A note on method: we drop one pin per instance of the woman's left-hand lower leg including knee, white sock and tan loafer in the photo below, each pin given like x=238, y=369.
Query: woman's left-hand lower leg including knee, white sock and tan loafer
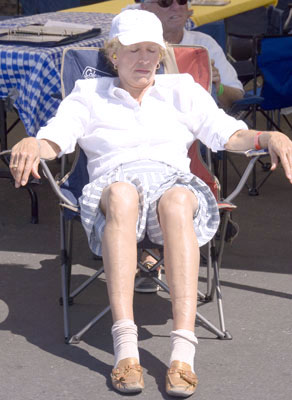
x=119, y=202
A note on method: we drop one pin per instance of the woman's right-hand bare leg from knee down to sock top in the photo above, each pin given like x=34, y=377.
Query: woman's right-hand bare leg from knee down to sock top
x=181, y=254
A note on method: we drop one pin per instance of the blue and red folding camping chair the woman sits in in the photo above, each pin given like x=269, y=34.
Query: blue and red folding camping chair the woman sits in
x=88, y=63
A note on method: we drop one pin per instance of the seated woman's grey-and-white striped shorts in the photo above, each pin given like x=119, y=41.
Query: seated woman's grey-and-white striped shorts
x=151, y=179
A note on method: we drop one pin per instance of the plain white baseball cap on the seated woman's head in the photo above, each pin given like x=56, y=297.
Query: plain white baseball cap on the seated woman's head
x=136, y=26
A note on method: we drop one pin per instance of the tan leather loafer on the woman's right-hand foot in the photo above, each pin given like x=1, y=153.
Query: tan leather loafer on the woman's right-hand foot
x=180, y=380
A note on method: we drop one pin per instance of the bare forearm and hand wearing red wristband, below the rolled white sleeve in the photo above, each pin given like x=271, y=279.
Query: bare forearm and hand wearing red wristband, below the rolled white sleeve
x=278, y=144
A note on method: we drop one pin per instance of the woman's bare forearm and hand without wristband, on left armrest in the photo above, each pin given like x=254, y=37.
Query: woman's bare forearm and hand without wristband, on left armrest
x=25, y=158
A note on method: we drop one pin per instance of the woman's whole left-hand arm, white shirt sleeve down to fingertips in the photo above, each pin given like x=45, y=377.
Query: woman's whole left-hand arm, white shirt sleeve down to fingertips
x=61, y=132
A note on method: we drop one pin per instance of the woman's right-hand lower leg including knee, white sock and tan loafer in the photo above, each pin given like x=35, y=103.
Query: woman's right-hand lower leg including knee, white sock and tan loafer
x=181, y=255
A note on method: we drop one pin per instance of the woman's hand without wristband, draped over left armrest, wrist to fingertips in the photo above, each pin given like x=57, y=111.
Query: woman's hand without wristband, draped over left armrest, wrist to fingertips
x=25, y=158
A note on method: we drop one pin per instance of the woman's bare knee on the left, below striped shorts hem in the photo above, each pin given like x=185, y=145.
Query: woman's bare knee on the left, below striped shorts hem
x=120, y=199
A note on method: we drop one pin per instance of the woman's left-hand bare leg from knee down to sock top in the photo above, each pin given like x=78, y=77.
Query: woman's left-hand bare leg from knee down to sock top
x=119, y=202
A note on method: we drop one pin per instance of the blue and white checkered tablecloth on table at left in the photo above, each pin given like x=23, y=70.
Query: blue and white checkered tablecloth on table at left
x=34, y=72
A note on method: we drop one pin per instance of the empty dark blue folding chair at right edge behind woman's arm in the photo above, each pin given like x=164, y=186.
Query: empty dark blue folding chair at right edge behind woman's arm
x=272, y=60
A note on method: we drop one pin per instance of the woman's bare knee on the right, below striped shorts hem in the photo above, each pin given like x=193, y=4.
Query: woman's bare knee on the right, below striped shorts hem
x=178, y=203
